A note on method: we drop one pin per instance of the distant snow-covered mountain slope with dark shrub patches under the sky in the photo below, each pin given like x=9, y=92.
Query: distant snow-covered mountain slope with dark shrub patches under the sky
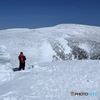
x=44, y=43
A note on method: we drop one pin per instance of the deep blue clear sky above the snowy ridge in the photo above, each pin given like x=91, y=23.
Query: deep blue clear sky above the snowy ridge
x=44, y=13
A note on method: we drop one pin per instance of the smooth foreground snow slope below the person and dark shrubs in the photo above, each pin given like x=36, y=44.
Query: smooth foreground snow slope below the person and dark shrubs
x=54, y=81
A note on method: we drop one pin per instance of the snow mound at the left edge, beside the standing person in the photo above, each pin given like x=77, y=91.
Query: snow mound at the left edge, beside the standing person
x=5, y=66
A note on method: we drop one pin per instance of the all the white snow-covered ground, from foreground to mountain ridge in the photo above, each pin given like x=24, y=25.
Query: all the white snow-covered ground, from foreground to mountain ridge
x=49, y=80
